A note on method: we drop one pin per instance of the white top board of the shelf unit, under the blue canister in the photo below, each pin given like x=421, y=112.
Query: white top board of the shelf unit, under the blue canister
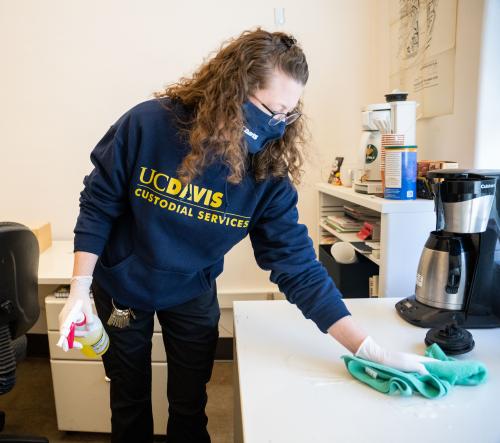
x=375, y=203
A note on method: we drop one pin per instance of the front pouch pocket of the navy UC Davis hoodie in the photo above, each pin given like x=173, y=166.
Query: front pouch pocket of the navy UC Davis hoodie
x=142, y=285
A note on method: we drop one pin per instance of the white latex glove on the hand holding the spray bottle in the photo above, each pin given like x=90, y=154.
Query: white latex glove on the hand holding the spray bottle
x=78, y=302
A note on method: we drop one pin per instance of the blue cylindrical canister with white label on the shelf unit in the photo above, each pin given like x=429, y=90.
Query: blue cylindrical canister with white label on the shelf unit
x=400, y=172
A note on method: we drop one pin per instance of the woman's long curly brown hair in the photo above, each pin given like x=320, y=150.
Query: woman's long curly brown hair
x=216, y=92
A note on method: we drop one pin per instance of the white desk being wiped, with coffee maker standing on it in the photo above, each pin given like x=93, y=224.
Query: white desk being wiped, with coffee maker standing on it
x=291, y=385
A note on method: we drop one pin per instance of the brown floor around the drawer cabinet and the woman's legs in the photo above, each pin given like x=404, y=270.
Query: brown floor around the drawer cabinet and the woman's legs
x=30, y=409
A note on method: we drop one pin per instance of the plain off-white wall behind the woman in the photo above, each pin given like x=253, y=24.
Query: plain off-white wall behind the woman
x=70, y=69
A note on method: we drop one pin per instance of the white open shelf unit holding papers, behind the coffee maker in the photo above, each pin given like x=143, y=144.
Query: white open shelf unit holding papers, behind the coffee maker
x=405, y=226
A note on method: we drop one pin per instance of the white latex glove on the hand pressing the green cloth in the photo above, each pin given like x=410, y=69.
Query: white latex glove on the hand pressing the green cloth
x=370, y=350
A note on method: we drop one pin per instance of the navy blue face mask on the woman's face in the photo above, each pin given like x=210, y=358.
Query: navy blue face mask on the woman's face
x=257, y=129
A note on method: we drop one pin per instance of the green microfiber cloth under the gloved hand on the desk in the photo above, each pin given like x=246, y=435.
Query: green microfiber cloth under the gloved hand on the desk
x=443, y=374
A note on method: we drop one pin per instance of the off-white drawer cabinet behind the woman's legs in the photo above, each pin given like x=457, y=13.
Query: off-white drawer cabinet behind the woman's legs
x=80, y=388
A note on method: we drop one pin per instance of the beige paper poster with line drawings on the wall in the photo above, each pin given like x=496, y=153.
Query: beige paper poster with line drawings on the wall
x=422, y=34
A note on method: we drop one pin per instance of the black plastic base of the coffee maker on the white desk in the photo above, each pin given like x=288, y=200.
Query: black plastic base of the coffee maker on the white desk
x=425, y=316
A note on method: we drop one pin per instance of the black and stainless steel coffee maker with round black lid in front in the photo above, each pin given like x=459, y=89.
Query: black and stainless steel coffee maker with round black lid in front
x=458, y=276
